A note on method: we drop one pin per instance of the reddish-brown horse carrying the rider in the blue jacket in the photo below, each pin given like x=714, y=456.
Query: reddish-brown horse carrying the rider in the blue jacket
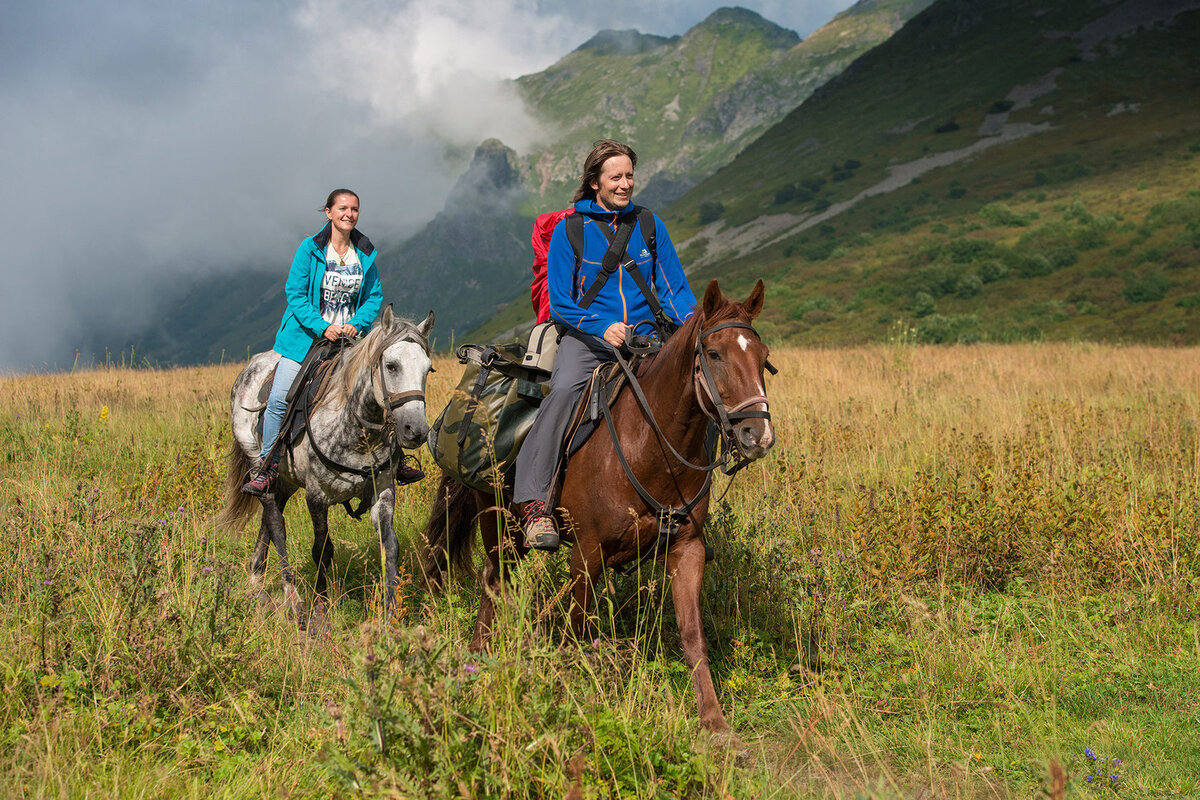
x=711, y=370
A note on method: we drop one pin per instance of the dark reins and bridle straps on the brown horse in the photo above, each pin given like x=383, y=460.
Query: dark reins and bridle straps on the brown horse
x=671, y=519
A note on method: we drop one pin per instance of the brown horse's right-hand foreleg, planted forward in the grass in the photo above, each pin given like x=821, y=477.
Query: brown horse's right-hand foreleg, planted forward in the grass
x=686, y=562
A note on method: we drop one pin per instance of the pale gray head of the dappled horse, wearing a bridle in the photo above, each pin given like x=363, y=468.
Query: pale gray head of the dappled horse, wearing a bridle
x=403, y=366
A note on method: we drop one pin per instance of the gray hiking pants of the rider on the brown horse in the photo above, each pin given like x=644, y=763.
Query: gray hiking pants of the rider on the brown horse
x=578, y=356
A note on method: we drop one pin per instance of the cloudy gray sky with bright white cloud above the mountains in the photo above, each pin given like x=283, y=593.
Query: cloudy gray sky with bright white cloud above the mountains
x=146, y=143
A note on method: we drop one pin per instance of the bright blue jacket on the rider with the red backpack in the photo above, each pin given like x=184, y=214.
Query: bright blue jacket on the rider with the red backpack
x=620, y=300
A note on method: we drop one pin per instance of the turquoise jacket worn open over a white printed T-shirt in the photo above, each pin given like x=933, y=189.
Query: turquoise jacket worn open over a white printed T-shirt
x=303, y=323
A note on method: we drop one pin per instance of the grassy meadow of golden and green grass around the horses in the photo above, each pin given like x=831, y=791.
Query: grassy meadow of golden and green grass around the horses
x=963, y=573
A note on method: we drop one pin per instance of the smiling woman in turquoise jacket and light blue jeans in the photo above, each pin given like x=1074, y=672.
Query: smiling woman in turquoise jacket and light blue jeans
x=333, y=292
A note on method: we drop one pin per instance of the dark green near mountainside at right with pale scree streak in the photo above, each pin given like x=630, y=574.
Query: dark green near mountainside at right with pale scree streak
x=994, y=171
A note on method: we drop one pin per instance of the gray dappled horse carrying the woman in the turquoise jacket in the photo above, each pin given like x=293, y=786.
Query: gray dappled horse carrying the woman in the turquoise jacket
x=370, y=407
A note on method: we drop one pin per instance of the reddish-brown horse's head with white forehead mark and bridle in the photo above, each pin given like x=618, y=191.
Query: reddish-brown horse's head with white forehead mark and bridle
x=729, y=371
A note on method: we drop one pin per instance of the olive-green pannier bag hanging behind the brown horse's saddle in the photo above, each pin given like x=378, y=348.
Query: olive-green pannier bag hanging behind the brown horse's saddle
x=477, y=437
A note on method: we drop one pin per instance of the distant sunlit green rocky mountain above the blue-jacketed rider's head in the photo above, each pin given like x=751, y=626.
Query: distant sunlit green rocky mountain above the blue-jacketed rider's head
x=689, y=104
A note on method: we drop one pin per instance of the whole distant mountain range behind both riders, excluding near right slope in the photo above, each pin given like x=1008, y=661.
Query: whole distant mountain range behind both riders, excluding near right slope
x=688, y=105
